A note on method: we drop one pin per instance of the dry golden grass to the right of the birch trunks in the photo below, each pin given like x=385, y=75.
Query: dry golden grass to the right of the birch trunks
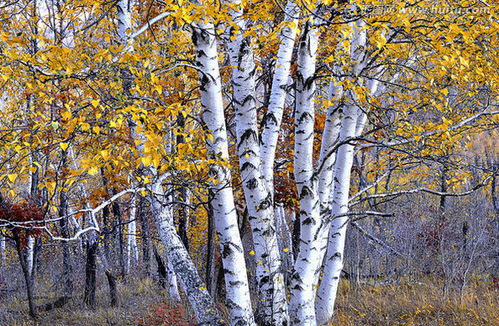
x=417, y=305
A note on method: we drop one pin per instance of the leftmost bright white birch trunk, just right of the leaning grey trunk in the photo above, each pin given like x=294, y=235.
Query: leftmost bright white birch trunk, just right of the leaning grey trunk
x=236, y=281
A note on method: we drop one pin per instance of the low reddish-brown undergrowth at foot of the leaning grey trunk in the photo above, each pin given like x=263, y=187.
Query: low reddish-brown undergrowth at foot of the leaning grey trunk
x=168, y=315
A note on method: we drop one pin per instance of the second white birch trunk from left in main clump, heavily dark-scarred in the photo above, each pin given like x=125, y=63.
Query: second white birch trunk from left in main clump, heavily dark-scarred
x=272, y=304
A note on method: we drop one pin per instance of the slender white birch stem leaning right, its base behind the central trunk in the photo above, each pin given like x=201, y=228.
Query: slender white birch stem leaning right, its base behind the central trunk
x=273, y=117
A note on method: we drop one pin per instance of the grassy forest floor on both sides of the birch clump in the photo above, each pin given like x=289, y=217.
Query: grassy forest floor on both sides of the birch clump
x=143, y=303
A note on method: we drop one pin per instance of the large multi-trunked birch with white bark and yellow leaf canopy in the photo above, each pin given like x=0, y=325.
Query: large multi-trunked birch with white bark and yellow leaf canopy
x=266, y=93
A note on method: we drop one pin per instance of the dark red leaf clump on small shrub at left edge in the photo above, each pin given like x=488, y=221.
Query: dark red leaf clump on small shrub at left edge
x=23, y=212
